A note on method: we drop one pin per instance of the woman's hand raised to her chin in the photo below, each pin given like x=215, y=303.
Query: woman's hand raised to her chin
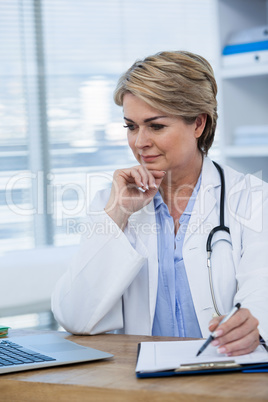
x=132, y=189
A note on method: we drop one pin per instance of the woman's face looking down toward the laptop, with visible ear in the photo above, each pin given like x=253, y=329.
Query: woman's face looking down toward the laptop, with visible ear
x=160, y=141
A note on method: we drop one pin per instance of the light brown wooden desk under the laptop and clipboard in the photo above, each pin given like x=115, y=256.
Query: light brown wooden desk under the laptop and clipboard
x=115, y=380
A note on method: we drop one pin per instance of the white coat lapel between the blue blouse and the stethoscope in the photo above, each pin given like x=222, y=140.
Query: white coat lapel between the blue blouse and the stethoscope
x=204, y=217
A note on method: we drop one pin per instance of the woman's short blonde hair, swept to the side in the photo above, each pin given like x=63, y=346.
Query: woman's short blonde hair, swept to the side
x=179, y=83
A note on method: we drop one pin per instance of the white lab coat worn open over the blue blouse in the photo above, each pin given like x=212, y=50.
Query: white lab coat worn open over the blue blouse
x=112, y=282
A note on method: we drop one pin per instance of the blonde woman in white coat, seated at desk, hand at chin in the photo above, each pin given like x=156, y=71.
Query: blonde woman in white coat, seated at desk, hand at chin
x=142, y=266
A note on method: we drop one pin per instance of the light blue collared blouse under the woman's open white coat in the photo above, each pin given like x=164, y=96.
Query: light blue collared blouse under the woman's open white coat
x=175, y=313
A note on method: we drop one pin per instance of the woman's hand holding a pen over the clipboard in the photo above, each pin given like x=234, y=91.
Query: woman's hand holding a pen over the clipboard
x=237, y=336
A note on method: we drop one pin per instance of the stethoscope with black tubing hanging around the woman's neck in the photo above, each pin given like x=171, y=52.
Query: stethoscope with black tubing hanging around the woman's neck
x=219, y=228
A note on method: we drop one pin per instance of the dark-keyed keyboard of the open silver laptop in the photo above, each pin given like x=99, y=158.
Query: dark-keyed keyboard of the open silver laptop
x=12, y=353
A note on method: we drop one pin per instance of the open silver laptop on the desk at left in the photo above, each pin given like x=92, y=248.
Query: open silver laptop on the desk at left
x=43, y=350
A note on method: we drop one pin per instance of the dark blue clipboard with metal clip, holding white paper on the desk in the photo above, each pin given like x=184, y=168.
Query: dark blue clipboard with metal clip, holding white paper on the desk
x=206, y=367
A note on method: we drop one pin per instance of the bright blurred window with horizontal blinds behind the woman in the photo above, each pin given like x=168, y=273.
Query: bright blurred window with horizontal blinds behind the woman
x=85, y=45
